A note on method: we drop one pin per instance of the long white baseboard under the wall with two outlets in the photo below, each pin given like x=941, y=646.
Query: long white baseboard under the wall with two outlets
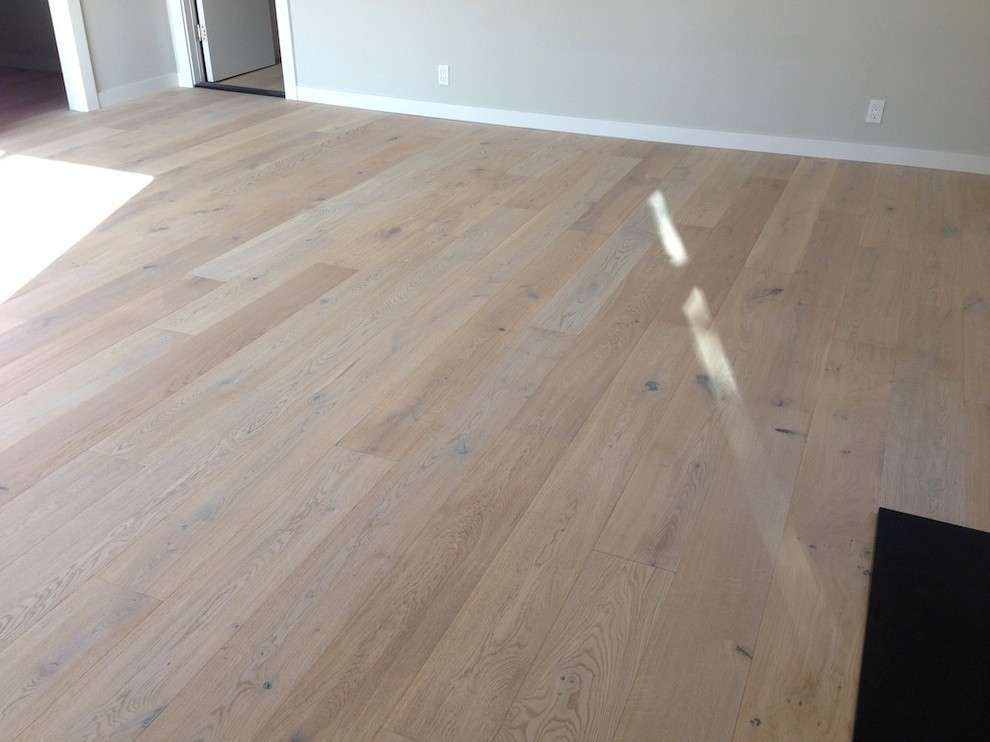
x=654, y=133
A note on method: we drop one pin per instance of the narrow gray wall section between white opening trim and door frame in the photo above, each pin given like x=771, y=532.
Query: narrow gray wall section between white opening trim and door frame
x=129, y=41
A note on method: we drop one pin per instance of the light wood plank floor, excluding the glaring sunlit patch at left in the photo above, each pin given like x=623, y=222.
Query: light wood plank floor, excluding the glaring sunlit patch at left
x=353, y=426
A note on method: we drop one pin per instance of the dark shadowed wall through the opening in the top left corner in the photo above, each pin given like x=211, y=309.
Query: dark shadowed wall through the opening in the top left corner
x=26, y=36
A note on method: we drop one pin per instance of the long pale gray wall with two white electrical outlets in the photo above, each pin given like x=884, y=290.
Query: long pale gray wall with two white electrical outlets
x=793, y=68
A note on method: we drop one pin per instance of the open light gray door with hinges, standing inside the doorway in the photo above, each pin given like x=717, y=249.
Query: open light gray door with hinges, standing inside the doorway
x=236, y=35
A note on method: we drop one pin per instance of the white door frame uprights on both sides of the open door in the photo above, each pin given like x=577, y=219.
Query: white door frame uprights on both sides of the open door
x=189, y=61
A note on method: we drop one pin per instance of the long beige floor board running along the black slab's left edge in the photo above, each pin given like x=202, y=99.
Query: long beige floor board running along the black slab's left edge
x=802, y=683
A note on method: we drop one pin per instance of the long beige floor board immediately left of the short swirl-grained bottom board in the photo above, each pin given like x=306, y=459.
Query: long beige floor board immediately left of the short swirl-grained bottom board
x=465, y=687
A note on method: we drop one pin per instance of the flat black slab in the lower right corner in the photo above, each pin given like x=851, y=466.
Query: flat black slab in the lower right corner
x=926, y=659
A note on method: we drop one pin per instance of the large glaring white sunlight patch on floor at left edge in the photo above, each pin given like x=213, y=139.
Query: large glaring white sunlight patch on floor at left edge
x=47, y=206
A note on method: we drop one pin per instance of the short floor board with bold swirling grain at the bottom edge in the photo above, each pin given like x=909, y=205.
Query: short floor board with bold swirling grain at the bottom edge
x=577, y=687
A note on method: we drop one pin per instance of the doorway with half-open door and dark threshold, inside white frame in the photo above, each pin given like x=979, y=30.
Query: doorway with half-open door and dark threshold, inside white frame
x=239, y=43
